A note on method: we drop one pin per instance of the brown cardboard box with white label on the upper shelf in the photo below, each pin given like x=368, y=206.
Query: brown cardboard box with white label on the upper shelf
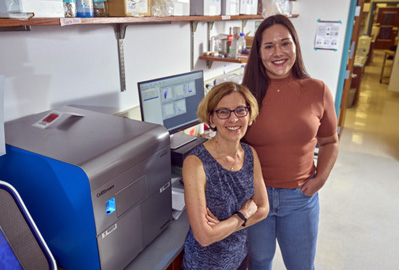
x=126, y=8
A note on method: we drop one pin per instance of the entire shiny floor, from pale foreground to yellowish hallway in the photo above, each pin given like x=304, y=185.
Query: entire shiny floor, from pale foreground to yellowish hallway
x=359, y=219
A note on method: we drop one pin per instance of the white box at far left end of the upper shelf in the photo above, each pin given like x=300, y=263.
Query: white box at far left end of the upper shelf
x=41, y=8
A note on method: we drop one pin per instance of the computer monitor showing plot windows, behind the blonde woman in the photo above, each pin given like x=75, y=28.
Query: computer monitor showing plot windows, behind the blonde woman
x=172, y=101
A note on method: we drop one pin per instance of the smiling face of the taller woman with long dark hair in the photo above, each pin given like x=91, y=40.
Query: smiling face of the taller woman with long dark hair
x=277, y=51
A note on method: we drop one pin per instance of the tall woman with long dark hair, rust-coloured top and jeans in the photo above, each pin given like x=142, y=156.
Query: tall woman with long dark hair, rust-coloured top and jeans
x=296, y=113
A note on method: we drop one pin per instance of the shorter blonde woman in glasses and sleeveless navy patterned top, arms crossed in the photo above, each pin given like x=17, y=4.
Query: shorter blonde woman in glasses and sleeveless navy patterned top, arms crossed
x=223, y=184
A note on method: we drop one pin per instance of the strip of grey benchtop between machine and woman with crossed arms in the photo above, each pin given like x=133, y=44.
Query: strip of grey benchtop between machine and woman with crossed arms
x=164, y=249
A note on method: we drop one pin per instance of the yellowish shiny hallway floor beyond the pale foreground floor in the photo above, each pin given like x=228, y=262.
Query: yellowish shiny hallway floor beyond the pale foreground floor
x=372, y=125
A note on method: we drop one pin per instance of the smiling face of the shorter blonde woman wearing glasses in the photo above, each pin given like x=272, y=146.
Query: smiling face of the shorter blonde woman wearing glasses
x=232, y=128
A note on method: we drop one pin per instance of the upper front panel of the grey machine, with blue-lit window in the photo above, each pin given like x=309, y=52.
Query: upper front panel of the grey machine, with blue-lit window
x=129, y=189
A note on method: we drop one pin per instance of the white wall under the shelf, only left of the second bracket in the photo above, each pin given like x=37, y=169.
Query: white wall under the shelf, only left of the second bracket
x=52, y=65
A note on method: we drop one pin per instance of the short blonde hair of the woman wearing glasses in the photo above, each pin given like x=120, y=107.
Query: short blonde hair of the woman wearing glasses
x=210, y=101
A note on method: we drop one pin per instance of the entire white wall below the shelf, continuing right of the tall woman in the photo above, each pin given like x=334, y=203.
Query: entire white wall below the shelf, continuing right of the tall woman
x=52, y=66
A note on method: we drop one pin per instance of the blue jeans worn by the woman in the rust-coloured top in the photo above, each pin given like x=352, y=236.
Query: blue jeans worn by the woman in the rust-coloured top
x=293, y=220
